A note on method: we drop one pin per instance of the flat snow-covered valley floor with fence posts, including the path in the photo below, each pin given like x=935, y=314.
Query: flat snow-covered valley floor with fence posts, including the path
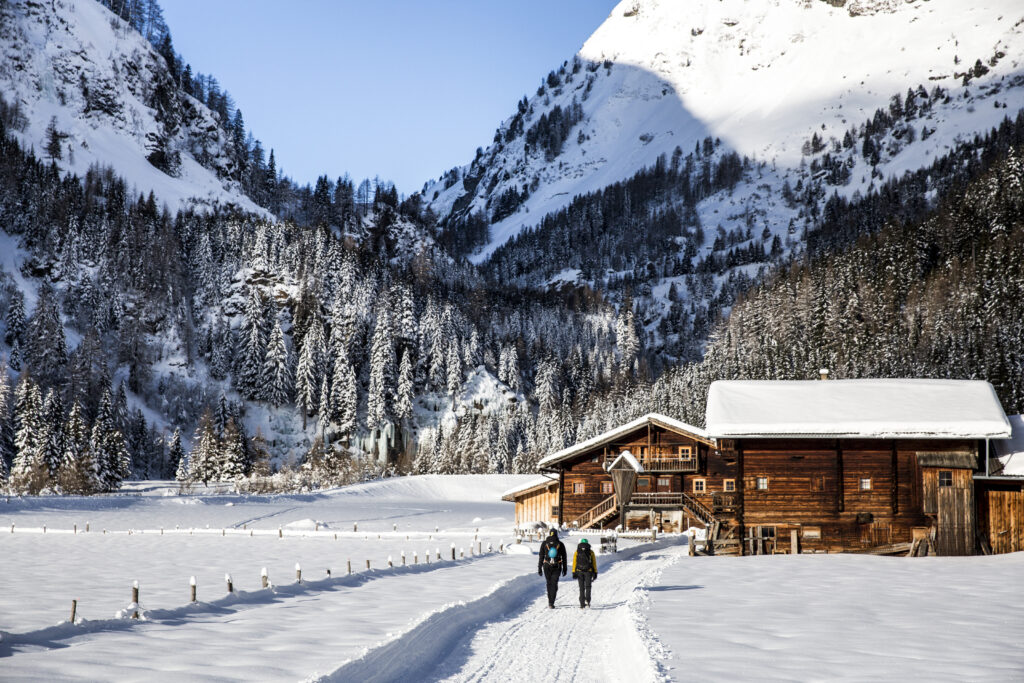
x=658, y=614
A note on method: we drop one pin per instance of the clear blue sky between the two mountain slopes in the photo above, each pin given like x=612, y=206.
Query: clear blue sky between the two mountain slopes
x=401, y=90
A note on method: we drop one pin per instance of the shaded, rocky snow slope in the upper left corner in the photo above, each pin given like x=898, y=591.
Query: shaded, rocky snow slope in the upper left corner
x=112, y=97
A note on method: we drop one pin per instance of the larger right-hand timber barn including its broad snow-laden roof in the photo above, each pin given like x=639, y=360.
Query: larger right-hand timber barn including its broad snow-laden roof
x=847, y=465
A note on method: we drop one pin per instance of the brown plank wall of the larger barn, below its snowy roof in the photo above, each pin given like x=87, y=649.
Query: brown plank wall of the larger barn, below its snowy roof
x=848, y=494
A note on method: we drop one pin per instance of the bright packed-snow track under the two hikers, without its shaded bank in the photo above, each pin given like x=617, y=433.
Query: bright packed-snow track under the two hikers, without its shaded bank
x=608, y=643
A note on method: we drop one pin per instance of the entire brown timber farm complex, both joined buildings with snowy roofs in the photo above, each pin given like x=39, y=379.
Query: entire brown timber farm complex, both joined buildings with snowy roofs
x=808, y=466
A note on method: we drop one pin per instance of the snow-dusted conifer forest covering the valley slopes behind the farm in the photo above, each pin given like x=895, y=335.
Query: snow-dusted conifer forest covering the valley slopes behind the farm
x=335, y=332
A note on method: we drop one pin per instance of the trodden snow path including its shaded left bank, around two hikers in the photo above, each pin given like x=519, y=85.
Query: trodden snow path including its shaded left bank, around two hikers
x=511, y=634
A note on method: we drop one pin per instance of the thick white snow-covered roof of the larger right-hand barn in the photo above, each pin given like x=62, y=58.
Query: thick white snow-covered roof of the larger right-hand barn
x=870, y=408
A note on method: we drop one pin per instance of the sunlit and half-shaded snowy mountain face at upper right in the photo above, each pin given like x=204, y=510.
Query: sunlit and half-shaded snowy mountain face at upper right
x=762, y=77
